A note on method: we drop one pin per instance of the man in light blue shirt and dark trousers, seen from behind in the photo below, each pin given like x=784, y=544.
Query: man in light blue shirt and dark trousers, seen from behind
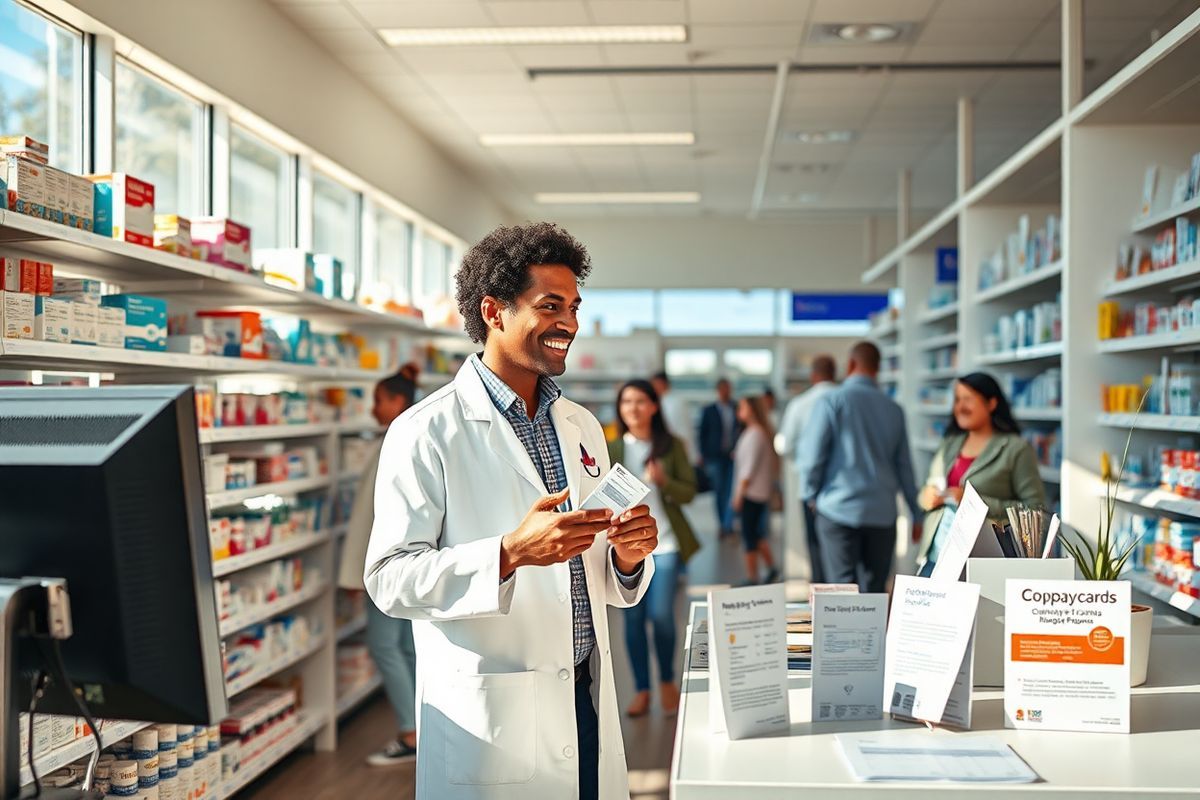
x=855, y=459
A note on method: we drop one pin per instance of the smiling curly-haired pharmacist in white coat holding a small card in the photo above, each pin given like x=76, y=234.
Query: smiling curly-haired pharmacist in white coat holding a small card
x=476, y=542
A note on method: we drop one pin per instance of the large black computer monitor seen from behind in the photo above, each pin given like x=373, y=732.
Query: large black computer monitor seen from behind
x=104, y=488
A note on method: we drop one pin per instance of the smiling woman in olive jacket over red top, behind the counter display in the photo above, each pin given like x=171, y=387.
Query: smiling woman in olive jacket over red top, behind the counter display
x=983, y=444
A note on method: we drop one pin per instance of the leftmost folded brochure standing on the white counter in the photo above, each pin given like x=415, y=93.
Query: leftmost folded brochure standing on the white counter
x=748, y=661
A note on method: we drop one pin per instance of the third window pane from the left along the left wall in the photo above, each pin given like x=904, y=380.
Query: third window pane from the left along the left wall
x=261, y=189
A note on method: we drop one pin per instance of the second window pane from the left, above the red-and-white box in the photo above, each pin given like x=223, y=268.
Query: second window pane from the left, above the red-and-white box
x=160, y=140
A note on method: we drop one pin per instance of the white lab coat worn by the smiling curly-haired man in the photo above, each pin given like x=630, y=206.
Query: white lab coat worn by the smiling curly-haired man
x=495, y=667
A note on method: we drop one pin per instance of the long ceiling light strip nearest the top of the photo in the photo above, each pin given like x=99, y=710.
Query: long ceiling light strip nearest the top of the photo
x=557, y=35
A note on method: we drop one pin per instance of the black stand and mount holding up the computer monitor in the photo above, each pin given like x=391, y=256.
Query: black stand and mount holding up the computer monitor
x=29, y=609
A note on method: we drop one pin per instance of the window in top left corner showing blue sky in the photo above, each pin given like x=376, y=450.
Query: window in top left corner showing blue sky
x=41, y=83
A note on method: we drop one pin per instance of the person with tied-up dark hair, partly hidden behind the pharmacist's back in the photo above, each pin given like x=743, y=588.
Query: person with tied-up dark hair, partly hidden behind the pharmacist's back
x=389, y=640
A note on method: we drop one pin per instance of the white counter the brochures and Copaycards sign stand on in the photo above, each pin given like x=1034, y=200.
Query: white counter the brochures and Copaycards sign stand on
x=1160, y=759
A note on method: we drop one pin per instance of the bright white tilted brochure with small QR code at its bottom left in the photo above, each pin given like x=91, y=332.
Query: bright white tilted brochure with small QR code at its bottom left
x=929, y=633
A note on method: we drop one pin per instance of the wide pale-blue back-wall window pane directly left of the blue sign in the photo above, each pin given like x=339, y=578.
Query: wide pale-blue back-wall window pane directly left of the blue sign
x=729, y=312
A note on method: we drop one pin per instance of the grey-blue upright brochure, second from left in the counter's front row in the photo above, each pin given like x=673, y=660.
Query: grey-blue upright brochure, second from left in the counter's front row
x=849, y=635
